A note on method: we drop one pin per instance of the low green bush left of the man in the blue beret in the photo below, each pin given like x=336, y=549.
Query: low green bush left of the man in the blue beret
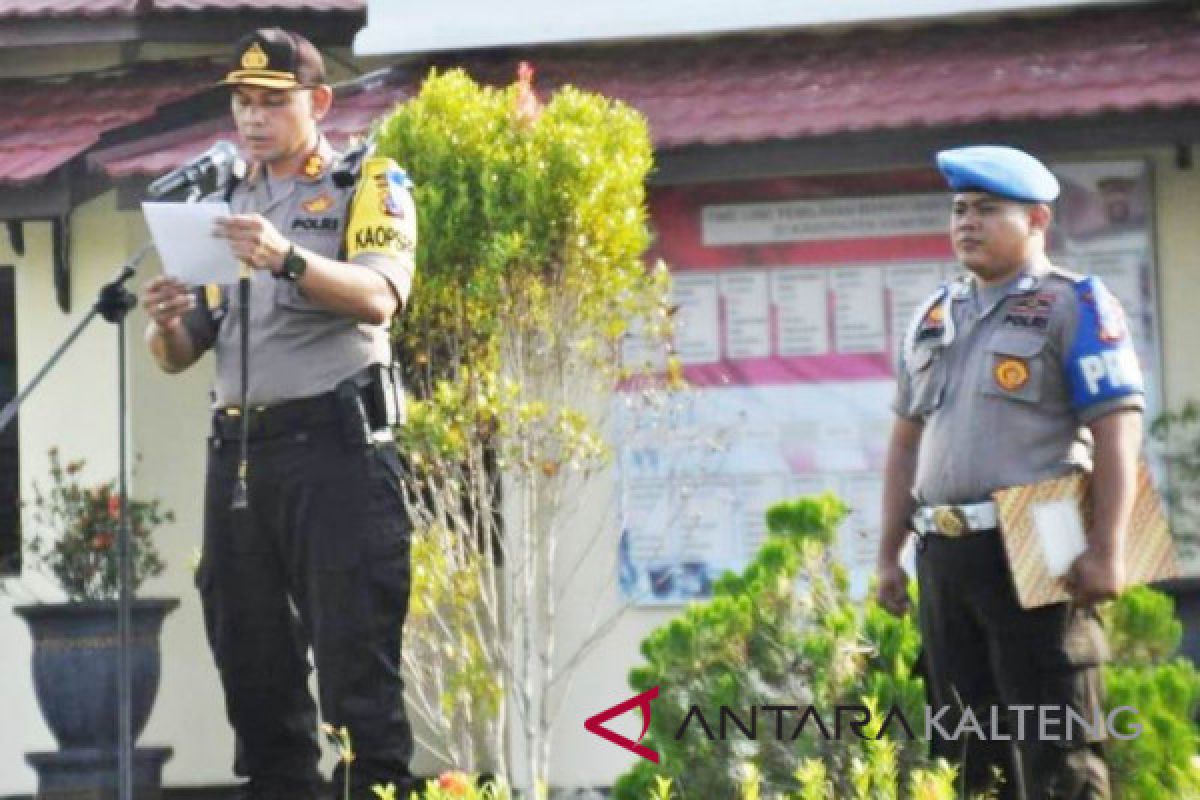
x=785, y=633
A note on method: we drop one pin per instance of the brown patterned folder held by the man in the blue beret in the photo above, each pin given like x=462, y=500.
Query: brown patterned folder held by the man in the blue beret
x=1149, y=552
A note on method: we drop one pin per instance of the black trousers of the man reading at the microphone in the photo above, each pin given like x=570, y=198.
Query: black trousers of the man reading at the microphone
x=321, y=561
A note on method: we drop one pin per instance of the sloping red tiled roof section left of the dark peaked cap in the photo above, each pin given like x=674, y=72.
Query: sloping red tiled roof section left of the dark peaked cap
x=50, y=122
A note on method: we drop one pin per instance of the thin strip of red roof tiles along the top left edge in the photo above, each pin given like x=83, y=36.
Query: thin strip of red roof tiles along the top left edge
x=134, y=8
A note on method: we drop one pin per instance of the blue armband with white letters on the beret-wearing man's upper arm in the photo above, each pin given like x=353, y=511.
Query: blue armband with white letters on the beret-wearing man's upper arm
x=1101, y=363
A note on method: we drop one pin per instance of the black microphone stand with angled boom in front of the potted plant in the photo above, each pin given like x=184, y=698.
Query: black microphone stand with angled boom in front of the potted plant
x=113, y=303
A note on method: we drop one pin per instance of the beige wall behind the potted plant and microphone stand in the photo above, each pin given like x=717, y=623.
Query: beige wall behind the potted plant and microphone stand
x=76, y=411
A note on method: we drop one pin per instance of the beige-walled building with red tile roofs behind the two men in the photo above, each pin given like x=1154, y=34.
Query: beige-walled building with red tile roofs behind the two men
x=764, y=121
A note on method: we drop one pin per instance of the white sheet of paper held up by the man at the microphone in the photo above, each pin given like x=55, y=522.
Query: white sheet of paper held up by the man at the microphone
x=183, y=236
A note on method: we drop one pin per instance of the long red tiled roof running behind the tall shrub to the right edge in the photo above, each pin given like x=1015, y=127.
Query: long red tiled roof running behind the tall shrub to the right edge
x=785, y=87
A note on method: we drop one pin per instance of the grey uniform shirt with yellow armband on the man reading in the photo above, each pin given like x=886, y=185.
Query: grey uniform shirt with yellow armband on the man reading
x=298, y=348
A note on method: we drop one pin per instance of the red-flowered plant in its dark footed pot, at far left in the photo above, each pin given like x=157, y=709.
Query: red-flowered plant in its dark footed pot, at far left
x=73, y=538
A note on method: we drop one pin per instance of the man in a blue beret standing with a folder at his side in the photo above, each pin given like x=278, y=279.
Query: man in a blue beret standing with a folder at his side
x=1016, y=374
